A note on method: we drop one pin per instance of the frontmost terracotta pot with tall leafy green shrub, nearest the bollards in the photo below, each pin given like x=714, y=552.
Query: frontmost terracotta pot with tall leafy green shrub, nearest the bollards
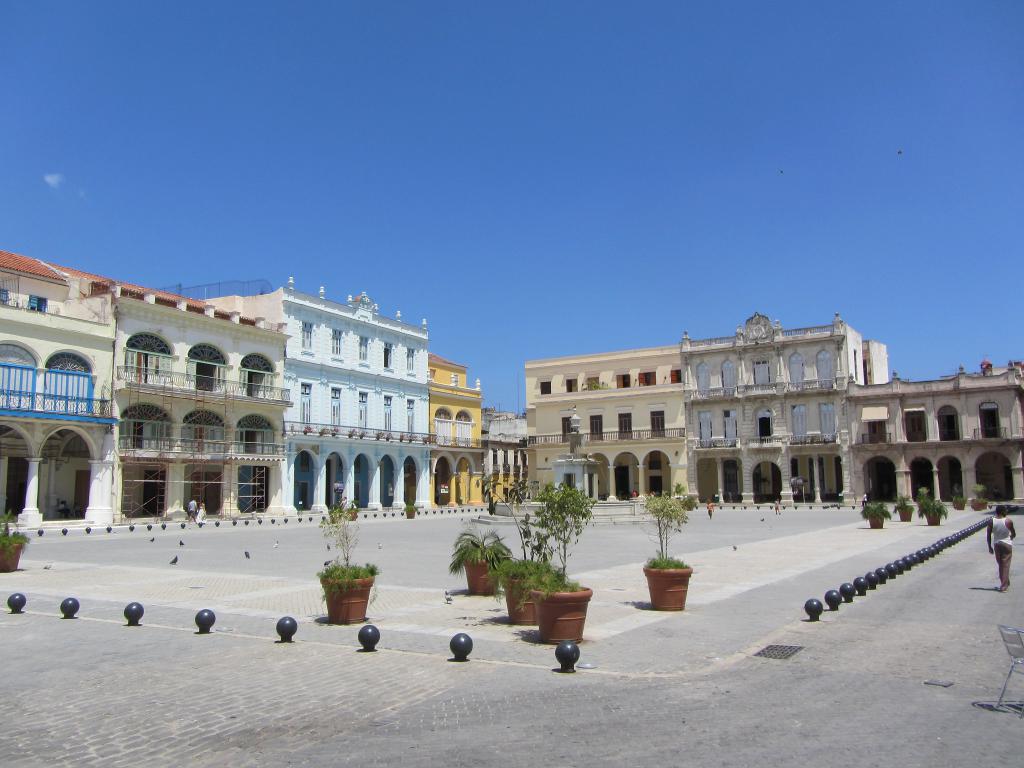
x=562, y=604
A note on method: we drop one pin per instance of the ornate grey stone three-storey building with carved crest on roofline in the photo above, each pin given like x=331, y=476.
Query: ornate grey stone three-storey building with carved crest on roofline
x=765, y=410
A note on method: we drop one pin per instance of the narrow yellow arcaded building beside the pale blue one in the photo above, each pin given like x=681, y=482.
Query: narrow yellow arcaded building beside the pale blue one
x=456, y=454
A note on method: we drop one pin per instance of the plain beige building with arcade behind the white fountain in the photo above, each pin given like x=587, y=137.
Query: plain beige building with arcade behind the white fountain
x=632, y=418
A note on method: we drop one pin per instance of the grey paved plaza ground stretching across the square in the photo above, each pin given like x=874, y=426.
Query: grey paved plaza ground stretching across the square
x=666, y=688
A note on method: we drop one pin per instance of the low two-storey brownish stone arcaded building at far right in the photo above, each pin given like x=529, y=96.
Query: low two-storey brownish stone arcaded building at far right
x=947, y=436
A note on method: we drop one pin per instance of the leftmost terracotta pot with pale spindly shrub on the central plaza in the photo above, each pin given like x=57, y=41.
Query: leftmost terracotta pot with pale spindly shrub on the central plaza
x=347, y=587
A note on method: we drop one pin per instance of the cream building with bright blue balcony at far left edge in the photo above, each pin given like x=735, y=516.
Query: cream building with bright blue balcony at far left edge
x=57, y=442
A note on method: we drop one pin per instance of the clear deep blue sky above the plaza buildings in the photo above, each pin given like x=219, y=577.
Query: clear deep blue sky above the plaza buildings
x=540, y=179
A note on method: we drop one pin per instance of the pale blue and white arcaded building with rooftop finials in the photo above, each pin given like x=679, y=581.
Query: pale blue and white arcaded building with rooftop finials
x=357, y=428
